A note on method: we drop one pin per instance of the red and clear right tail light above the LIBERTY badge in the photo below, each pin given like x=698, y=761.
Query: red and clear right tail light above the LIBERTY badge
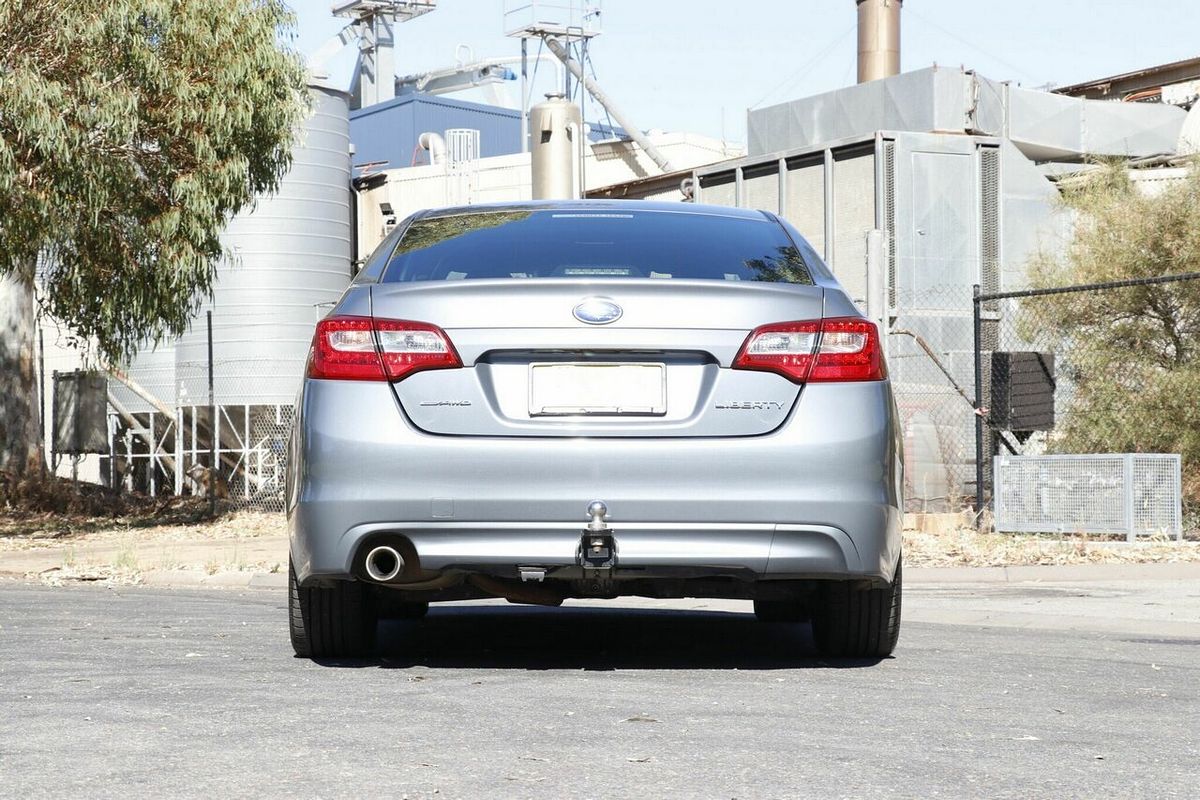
x=836, y=350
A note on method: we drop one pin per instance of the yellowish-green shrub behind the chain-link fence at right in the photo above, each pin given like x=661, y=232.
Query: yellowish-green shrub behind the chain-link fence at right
x=1133, y=354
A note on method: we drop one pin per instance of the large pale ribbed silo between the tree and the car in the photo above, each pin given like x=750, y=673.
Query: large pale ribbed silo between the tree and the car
x=291, y=260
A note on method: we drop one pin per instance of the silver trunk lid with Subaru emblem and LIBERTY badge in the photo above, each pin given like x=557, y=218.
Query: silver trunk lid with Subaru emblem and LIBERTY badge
x=532, y=368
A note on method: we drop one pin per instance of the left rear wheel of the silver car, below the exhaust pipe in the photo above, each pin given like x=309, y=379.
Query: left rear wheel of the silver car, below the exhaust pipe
x=331, y=623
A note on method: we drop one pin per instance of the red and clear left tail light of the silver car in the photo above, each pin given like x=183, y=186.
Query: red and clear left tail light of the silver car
x=363, y=348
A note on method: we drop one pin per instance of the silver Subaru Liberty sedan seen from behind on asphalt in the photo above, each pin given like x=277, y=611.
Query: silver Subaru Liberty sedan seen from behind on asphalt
x=547, y=401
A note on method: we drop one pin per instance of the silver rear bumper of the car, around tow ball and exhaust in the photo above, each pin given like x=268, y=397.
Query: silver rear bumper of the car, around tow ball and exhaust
x=819, y=498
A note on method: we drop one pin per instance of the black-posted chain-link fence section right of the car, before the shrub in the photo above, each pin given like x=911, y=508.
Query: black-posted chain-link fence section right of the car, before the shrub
x=1090, y=370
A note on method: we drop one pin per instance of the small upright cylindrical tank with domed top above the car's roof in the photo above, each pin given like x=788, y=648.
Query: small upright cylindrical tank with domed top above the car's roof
x=556, y=128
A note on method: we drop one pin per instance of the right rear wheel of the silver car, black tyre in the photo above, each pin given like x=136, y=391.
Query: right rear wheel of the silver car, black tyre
x=859, y=623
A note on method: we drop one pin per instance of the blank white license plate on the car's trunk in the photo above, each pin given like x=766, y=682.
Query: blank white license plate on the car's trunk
x=615, y=389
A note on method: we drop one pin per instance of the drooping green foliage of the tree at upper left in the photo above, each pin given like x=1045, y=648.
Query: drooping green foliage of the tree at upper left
x=131, y=131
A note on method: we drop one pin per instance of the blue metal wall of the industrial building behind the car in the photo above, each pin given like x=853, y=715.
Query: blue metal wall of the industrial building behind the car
x=389, y=131
